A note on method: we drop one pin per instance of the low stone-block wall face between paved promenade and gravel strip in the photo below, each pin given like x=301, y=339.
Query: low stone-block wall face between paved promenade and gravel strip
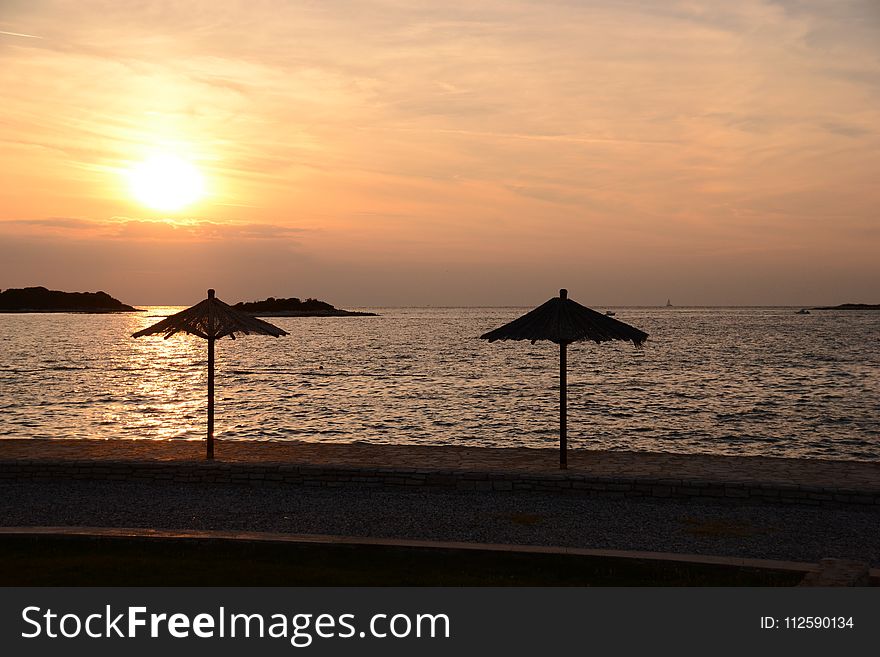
x=330, y=476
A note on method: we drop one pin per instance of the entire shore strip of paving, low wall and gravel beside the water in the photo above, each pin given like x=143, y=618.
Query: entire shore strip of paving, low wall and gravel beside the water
x=452, y=494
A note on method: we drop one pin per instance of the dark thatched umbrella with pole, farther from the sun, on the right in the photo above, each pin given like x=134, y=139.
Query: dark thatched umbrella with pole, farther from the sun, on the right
x=563, y=321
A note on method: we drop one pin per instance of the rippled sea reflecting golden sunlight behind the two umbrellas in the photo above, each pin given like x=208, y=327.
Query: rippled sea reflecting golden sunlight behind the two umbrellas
x=726, y=381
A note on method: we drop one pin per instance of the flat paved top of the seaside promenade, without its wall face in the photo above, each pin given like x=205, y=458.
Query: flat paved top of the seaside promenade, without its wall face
x=855, y=475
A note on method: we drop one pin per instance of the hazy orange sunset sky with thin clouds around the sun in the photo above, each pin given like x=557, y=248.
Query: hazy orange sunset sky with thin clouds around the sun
x=399, y=152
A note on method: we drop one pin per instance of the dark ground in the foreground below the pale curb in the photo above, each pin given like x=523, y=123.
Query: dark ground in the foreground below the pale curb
x=136, y=561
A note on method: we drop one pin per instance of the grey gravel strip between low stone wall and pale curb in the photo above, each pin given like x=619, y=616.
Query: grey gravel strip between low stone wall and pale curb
x=764, y=532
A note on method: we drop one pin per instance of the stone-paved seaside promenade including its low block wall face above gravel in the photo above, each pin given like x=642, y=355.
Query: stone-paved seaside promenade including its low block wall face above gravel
x=738, y=479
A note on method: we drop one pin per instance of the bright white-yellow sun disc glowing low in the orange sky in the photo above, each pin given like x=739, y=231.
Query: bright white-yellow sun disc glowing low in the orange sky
x=166, y=182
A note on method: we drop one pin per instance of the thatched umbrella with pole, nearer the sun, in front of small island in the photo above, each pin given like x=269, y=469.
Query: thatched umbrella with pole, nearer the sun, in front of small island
x=211, y=319
